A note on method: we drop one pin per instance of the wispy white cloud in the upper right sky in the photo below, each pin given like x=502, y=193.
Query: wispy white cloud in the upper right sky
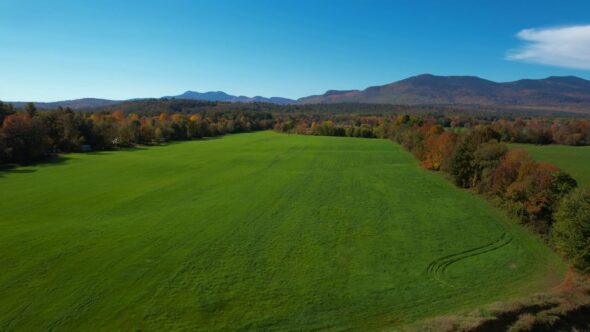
x=562, y=47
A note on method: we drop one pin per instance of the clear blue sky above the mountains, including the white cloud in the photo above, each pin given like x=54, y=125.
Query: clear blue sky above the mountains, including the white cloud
x=67, y=49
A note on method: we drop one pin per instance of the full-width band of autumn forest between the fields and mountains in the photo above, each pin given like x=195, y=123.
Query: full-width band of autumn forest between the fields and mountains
x=30, y=135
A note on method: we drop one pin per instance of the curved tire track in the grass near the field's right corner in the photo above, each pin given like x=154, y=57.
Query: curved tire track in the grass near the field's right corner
x=437, y=268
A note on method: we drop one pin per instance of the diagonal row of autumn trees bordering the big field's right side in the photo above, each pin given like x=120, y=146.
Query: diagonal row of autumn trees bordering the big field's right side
x=538, y=195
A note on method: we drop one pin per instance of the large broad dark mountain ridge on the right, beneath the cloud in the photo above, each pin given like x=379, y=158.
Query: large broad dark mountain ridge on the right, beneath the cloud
x=465, y=90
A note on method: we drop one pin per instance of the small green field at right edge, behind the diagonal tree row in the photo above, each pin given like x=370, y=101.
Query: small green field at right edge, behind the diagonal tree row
x=575, y=160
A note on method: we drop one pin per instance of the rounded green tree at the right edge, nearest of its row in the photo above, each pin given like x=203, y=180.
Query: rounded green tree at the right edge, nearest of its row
x=571, y=231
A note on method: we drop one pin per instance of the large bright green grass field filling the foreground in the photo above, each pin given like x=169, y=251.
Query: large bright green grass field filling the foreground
x=252, y=231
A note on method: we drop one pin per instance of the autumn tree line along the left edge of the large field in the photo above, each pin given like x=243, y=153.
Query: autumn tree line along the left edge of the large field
x=30, y=135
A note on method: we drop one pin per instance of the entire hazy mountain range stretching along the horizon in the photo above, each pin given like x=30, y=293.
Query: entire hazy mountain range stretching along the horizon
x=423, y=89
